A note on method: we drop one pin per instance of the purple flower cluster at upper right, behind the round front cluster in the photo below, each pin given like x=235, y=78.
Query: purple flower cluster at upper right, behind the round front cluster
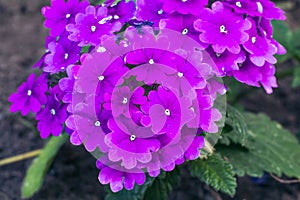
x=236, y=33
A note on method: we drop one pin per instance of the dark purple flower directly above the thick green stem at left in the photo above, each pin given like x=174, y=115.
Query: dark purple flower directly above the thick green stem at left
x=51, y=119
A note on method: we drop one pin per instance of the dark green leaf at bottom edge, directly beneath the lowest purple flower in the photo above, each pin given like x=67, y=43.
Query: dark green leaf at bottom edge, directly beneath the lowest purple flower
x=136, y=194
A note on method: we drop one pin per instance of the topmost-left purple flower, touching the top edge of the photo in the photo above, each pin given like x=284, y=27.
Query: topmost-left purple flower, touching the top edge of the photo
x=61, y=13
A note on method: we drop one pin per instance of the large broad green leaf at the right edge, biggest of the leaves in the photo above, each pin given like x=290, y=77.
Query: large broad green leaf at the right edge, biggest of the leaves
x=270, y=148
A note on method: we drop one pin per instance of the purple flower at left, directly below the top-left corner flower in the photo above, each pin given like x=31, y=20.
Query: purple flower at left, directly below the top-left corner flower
x=62, y=54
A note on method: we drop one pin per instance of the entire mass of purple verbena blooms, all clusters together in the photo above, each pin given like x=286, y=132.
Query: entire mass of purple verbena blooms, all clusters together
x=135, y=83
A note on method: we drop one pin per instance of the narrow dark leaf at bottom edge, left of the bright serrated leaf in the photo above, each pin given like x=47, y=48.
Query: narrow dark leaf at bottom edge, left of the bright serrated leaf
x=163, y=185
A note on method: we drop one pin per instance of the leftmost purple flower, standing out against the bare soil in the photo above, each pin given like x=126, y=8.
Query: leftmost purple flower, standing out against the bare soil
x=30, y=95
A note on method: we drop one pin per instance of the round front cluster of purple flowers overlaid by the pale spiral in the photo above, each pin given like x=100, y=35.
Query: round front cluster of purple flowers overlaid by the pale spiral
x=144, y=106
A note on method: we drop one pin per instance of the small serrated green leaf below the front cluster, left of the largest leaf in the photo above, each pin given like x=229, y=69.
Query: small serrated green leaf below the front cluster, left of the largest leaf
x=216, y=172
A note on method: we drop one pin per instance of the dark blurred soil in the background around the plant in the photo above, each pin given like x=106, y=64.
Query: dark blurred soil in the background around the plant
x=73, y=174
